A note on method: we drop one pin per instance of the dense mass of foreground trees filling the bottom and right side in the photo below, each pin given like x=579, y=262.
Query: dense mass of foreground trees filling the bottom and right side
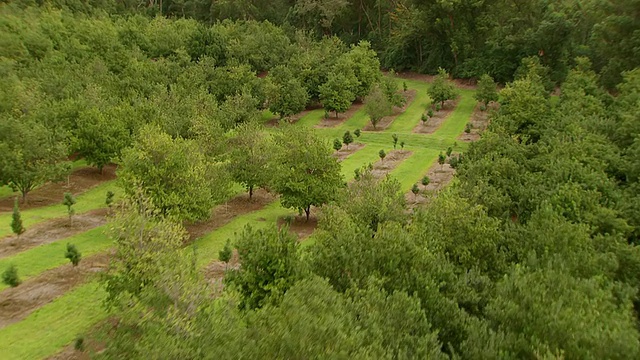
x=530, y=254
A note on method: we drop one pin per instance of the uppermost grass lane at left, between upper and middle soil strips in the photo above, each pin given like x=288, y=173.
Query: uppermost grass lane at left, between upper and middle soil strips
x=89, y=200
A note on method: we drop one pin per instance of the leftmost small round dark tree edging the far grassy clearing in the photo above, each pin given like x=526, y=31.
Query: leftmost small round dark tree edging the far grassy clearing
x=285, y=93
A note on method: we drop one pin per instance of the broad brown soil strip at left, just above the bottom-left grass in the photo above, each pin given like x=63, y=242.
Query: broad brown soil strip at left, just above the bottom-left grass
x=18, y=302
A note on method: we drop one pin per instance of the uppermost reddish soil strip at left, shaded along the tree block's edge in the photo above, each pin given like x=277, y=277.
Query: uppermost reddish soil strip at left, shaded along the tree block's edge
x=80, y=181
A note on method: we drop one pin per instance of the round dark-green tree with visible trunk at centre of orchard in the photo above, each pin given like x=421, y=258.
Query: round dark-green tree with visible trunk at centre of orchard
x=306, y=175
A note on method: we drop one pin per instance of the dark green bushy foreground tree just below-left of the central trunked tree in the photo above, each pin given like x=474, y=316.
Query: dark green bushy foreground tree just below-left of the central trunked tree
x=270, y=266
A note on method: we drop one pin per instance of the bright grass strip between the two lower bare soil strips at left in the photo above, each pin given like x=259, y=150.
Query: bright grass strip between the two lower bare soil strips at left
x=35, y=261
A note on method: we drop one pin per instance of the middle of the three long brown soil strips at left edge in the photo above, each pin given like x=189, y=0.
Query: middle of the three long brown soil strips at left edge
x=51, y=231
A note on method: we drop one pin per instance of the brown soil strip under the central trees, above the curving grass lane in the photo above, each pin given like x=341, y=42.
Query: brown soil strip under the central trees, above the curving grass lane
x=223, y=214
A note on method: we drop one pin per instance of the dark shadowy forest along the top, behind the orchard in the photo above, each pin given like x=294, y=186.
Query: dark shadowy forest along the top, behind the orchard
x=467, y=38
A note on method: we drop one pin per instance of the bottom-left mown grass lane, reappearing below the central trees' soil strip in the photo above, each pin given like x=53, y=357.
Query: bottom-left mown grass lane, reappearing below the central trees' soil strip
x=47, y=330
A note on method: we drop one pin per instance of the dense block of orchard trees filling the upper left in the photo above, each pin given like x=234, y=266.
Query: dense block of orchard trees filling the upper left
x=87, y=86
